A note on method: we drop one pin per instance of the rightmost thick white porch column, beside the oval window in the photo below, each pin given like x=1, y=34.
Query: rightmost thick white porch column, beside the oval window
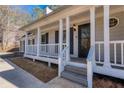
x=106, y=37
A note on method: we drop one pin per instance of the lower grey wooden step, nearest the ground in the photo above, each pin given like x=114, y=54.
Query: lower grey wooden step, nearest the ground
x=80, y=79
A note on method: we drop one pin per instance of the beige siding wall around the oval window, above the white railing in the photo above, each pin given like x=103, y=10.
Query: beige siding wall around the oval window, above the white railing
x=116, y=33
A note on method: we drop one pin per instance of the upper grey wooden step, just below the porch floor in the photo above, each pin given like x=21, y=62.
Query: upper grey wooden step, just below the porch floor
x=77, y=70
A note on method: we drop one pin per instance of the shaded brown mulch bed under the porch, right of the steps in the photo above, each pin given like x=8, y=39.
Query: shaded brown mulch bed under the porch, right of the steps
x=101, y=81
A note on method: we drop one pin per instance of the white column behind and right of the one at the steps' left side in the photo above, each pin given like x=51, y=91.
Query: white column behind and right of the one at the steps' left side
x=68, y=37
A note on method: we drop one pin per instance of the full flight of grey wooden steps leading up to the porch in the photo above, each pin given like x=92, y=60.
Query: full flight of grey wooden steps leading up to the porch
x=75, y=74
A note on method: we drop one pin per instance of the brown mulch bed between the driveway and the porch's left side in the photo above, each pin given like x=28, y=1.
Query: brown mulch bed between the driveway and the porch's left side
x=39, y=69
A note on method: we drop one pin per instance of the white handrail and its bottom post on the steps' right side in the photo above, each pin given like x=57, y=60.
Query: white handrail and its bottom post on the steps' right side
x=89, y=66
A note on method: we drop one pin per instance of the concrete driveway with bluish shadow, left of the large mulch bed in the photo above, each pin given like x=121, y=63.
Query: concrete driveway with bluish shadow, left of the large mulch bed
x=11, y=76
